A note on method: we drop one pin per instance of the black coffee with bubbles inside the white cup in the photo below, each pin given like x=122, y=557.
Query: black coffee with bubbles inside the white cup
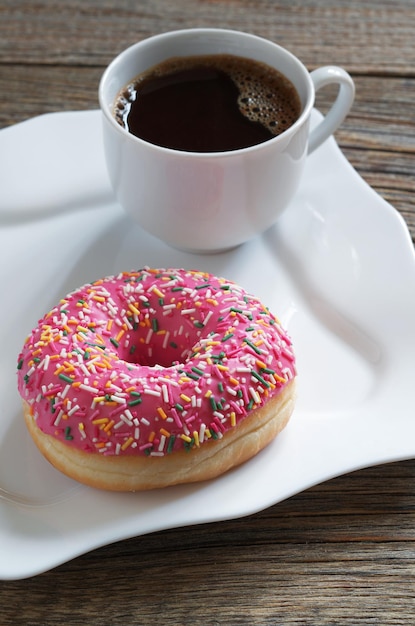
x=212, y=103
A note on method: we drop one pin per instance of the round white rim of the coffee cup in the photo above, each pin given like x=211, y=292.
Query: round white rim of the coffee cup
x=119, y=58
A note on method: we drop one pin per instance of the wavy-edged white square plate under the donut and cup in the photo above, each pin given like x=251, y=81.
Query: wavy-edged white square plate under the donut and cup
x=338, y=269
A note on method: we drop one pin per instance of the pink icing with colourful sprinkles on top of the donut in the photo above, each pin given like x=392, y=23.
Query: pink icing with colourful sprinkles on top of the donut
x=152, y=361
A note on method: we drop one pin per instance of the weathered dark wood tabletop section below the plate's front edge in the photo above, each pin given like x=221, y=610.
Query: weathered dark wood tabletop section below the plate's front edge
x=340, y=553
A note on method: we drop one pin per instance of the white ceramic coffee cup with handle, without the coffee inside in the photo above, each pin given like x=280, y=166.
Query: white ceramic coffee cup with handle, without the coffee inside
x=208, y=202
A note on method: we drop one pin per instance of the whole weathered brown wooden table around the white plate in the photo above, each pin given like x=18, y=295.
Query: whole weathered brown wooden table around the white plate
x=342, y=552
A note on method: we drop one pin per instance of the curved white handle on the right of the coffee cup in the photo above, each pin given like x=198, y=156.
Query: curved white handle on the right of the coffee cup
x=322, y=77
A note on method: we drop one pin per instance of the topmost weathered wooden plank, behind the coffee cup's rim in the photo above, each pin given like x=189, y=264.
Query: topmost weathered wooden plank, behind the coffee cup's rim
x=366, y=37
